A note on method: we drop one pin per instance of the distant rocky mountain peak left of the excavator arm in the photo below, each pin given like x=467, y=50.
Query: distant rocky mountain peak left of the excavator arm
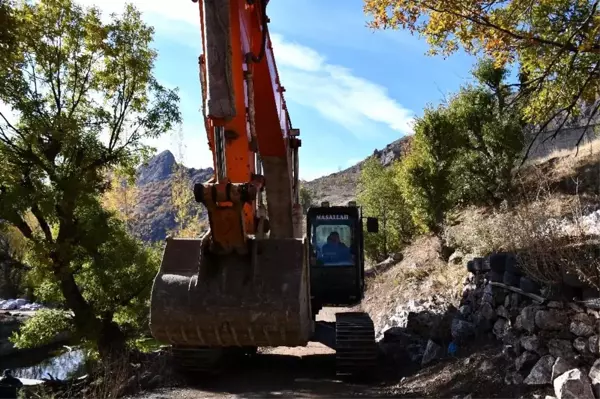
x=154, y=214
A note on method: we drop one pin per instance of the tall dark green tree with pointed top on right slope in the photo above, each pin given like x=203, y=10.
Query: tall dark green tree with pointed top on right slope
x=490, y=135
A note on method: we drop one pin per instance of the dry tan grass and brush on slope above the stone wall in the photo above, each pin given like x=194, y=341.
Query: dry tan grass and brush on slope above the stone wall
x=544, y=228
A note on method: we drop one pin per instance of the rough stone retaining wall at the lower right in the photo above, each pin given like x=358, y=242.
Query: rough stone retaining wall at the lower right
x=552, y=342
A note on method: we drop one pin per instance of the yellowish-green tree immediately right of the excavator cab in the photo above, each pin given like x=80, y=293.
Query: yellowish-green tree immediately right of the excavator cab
x=380, y=197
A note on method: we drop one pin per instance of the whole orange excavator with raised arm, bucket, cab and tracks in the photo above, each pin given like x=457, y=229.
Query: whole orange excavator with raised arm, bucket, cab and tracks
x=255, y=279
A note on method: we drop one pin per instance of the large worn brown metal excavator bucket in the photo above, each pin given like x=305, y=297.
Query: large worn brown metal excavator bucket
x=260, y=299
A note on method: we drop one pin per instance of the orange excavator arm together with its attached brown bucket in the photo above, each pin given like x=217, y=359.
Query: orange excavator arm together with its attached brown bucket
x=245, y=283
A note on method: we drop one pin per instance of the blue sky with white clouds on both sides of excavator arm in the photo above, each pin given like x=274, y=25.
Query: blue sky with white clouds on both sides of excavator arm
x=349, y=90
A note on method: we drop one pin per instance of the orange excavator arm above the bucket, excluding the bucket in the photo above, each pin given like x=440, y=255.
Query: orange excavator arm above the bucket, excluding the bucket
x=255, y=148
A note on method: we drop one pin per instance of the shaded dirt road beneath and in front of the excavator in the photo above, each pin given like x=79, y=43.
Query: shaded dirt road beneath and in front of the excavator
x=309, y=372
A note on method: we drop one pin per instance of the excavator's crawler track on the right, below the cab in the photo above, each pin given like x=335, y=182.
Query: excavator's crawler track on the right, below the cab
x=356, y=349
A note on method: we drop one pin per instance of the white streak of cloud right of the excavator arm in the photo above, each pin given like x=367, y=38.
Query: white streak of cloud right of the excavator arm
x=335, y=92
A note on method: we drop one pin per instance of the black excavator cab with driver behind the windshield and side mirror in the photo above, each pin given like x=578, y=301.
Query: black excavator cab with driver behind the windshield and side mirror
x=336, y=254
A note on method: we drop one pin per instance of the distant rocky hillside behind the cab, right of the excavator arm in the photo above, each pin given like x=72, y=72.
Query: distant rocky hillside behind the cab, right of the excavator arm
x=340, y=187
